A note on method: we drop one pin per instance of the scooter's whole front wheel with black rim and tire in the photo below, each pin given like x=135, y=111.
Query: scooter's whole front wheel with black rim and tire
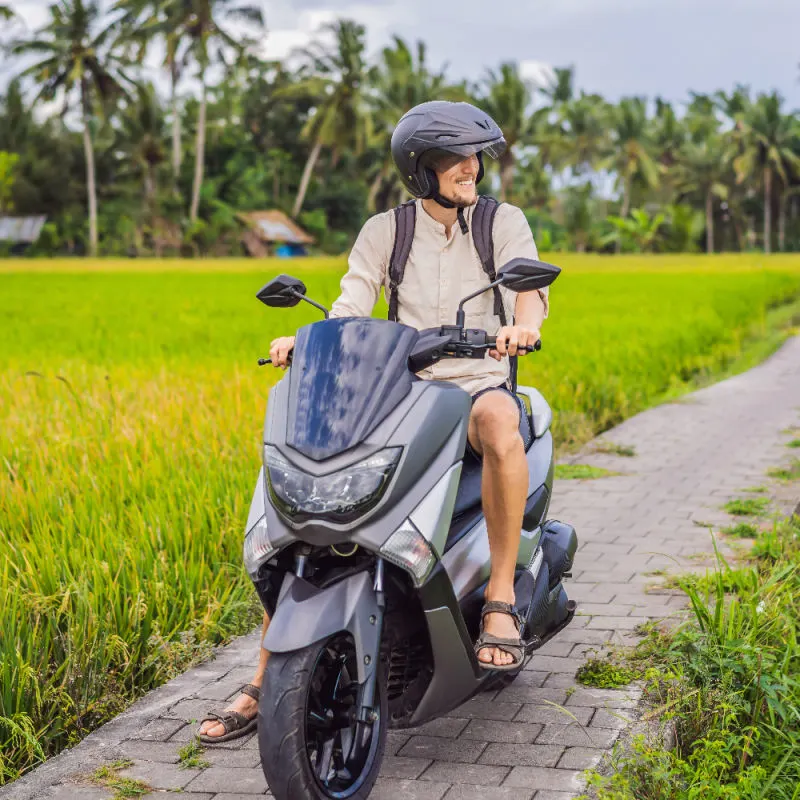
x=312, y=744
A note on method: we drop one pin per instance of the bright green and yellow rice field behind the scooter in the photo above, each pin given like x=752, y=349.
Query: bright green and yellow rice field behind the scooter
x=131, y=410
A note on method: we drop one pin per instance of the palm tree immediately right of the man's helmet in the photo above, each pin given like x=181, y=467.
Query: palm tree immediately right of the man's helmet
x=508, y=99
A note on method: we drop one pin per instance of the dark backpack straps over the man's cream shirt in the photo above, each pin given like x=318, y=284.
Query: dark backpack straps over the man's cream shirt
x=405, y=217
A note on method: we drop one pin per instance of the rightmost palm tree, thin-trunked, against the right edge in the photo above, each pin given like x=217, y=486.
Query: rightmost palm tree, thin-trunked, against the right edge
x=767, y=141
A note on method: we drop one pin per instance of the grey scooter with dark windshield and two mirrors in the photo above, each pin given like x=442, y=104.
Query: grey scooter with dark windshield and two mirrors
x=367, y=545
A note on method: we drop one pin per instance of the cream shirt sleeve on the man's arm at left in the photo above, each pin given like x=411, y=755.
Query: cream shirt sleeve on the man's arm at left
x=367, y=265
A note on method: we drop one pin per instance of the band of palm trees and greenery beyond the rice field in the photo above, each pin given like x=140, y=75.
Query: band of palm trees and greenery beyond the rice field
x=313, y=133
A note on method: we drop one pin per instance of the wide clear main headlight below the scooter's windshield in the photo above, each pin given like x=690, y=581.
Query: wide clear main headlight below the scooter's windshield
x=341, y=496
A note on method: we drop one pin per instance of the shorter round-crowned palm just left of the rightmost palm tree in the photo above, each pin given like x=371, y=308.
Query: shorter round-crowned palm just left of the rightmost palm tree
x=703, y=168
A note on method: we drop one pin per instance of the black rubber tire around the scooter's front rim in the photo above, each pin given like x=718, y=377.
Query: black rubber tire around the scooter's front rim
x=282, y=713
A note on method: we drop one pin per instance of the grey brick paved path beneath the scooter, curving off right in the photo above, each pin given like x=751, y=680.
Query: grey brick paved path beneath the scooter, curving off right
x=691, y=456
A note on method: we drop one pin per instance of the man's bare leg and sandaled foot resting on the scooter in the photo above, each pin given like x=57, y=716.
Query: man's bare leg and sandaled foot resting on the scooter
x=494, y=432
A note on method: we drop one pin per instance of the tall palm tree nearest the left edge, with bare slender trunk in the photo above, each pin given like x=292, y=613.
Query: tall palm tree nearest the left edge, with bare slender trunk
x=78, y=63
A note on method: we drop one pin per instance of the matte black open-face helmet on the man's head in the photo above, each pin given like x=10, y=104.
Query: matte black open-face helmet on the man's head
x=438, y=128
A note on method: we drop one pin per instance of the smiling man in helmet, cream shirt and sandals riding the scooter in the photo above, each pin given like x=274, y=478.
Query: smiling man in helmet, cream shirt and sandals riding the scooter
x=438, y=148
